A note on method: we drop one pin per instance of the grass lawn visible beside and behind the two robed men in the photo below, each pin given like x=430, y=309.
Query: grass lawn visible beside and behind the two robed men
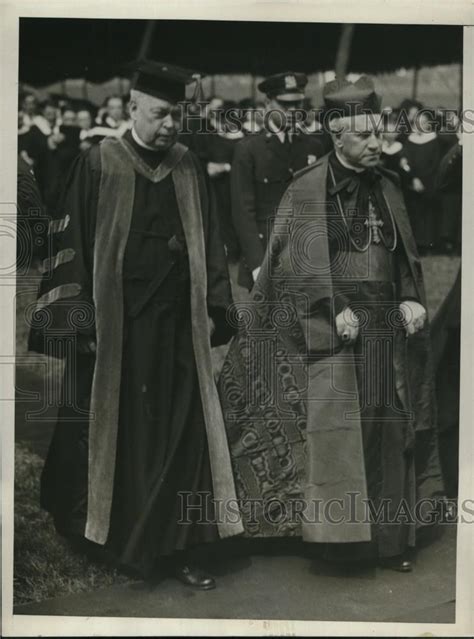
x=45, y=566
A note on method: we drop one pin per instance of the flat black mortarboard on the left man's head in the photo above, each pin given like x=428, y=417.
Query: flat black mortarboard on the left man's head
x=162, y=80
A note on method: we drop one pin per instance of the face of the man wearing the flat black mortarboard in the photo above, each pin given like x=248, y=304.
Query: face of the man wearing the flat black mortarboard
x=156, y=121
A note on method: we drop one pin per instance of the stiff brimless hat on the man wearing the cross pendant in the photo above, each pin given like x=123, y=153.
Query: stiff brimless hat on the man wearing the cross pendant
x=343, y=98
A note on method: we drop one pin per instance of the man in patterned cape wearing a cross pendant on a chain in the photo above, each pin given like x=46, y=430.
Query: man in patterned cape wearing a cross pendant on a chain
x=327, y=389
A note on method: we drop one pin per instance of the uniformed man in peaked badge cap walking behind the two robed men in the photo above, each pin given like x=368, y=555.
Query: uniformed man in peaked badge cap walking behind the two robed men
x=264, y=165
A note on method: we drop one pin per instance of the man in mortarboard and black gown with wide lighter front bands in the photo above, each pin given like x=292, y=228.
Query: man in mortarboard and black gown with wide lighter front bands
x=134, y=294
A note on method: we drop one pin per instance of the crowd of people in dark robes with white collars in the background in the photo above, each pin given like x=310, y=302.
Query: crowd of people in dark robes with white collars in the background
x=52, y=133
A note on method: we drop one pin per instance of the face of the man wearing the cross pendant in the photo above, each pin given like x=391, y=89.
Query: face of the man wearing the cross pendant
x=359, y=140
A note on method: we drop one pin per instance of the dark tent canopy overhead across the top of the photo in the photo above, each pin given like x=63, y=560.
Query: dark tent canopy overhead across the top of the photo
x=53, y=49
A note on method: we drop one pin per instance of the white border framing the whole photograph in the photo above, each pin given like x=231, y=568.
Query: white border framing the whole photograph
x=364, y=11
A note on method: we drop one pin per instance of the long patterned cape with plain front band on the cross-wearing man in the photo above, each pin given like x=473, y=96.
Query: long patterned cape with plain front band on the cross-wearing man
x=289, y=387
